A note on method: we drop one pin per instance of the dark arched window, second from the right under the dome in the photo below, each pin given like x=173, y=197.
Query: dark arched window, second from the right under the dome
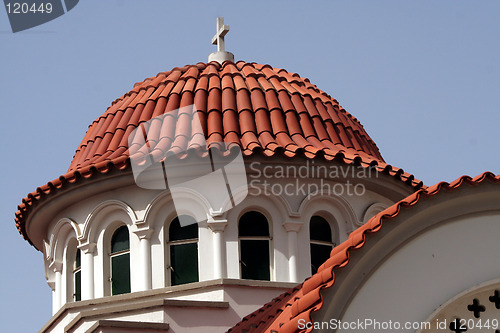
x=253, y=232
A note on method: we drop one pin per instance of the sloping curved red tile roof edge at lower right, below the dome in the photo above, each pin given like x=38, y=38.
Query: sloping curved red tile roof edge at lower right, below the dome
x=282, y=314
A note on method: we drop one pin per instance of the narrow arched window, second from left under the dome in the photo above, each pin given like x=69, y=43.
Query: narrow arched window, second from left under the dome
x=120, y=261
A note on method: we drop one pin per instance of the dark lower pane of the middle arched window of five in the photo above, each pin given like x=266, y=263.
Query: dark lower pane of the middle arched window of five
x=184, y=262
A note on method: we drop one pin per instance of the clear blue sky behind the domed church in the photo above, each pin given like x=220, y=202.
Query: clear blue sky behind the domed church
x=422, y=77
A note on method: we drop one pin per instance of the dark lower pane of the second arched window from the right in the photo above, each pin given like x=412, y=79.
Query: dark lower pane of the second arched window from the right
x=255, y=259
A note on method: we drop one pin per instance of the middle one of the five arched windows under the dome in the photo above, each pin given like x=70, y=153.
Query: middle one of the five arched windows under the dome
x=183, y=244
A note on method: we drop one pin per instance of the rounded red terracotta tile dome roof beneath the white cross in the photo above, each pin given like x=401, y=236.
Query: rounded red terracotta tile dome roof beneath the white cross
x=261, y=109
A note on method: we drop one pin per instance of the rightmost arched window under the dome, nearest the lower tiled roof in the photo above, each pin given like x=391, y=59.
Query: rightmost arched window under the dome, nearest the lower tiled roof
x=321, y=241
